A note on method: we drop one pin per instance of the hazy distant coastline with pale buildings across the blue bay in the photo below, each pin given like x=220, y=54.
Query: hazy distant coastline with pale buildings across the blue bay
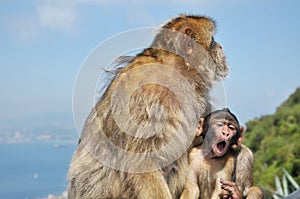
x=47, y=127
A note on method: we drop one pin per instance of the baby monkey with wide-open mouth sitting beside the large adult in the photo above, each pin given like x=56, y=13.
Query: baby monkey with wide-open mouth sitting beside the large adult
x=221, y=167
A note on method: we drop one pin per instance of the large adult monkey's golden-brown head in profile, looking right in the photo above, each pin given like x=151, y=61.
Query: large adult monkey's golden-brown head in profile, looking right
x=192, y=37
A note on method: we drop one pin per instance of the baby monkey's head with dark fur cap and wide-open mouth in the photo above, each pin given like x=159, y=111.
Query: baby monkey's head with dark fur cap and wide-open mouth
x=220, y=130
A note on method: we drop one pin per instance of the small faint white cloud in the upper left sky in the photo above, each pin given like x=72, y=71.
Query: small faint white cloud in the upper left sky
x=60, y=15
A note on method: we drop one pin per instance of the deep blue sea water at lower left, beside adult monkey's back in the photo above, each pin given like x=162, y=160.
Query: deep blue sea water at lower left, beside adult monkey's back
x=33, y=170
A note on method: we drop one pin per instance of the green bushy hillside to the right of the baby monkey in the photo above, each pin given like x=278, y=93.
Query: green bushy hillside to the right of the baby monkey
x=275, y=141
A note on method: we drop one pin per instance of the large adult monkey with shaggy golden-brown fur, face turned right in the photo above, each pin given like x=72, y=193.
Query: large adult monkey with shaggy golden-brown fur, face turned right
x=145, y=119
